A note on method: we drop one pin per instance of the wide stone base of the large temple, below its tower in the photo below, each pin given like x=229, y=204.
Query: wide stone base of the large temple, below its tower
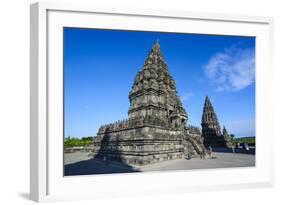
x=146, y=145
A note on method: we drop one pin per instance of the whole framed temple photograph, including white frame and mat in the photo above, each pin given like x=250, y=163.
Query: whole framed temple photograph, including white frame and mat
x=127, y=102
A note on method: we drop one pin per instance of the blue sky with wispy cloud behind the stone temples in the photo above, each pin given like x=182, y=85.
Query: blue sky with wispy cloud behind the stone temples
x=100, y=67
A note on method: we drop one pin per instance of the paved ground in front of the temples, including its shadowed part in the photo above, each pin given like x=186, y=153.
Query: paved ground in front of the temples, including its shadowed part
x=80, y=163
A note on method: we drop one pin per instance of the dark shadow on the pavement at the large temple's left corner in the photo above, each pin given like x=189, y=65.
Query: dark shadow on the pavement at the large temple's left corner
x=97, y=166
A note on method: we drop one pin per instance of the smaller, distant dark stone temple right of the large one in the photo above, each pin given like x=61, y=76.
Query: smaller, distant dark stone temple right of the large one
x=211, y=130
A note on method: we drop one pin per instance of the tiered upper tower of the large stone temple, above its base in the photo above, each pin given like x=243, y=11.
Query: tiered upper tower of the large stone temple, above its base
x=154, y=77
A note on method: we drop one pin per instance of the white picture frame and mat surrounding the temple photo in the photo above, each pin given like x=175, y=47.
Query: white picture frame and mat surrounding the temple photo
x=46, y=157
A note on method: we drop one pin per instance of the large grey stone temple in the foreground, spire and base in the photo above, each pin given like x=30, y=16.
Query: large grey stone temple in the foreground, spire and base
x=156, y=128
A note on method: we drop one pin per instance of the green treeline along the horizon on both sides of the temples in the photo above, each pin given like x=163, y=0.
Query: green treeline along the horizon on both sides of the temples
x=85, y=141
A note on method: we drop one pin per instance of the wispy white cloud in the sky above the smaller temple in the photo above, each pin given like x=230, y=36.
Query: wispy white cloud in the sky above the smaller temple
x=231, y=70
